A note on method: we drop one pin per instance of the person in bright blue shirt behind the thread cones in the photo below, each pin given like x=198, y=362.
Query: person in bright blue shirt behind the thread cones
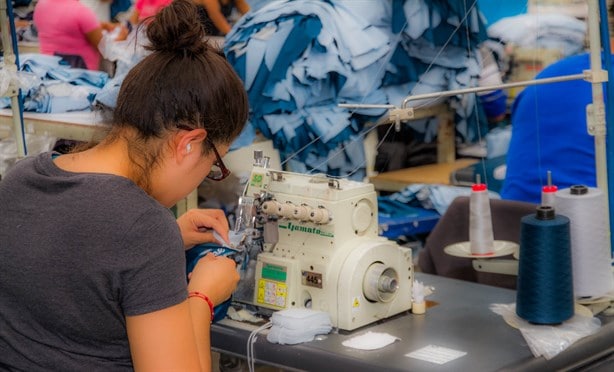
x=549, y=133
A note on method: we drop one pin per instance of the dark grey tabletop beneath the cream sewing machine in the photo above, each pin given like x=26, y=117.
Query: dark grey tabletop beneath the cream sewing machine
x=460, y=319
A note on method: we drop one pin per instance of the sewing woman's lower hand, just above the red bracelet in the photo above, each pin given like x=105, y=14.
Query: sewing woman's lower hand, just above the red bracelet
x=215, y=276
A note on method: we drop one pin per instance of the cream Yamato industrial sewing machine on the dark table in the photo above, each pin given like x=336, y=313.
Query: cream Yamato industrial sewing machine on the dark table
x=320, y=248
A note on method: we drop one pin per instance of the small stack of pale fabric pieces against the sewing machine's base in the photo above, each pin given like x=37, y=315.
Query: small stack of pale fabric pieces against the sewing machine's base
x=295, y=326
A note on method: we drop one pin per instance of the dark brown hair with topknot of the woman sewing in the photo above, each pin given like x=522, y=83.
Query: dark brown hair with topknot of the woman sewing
x=183, y=82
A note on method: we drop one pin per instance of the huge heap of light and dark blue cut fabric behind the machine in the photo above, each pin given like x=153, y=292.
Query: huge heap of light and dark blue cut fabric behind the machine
x=300, y=59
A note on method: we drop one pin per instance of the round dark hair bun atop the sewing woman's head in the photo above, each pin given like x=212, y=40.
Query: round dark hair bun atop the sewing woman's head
x=177, y=29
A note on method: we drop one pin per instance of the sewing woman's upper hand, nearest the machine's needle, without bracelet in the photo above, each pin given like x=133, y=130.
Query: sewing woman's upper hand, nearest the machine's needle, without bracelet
x=197, y=226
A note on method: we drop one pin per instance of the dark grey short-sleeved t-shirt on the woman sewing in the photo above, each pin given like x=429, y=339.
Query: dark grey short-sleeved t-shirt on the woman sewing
x=78, y=253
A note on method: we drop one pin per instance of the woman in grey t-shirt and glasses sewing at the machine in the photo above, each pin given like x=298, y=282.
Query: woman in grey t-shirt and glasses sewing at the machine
x=92, y=261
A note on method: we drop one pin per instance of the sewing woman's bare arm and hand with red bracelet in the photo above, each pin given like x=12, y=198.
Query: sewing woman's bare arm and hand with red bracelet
x=178, y=337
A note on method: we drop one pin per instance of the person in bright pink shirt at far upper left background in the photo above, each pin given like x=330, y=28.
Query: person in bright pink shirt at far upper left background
x=69, y=29
